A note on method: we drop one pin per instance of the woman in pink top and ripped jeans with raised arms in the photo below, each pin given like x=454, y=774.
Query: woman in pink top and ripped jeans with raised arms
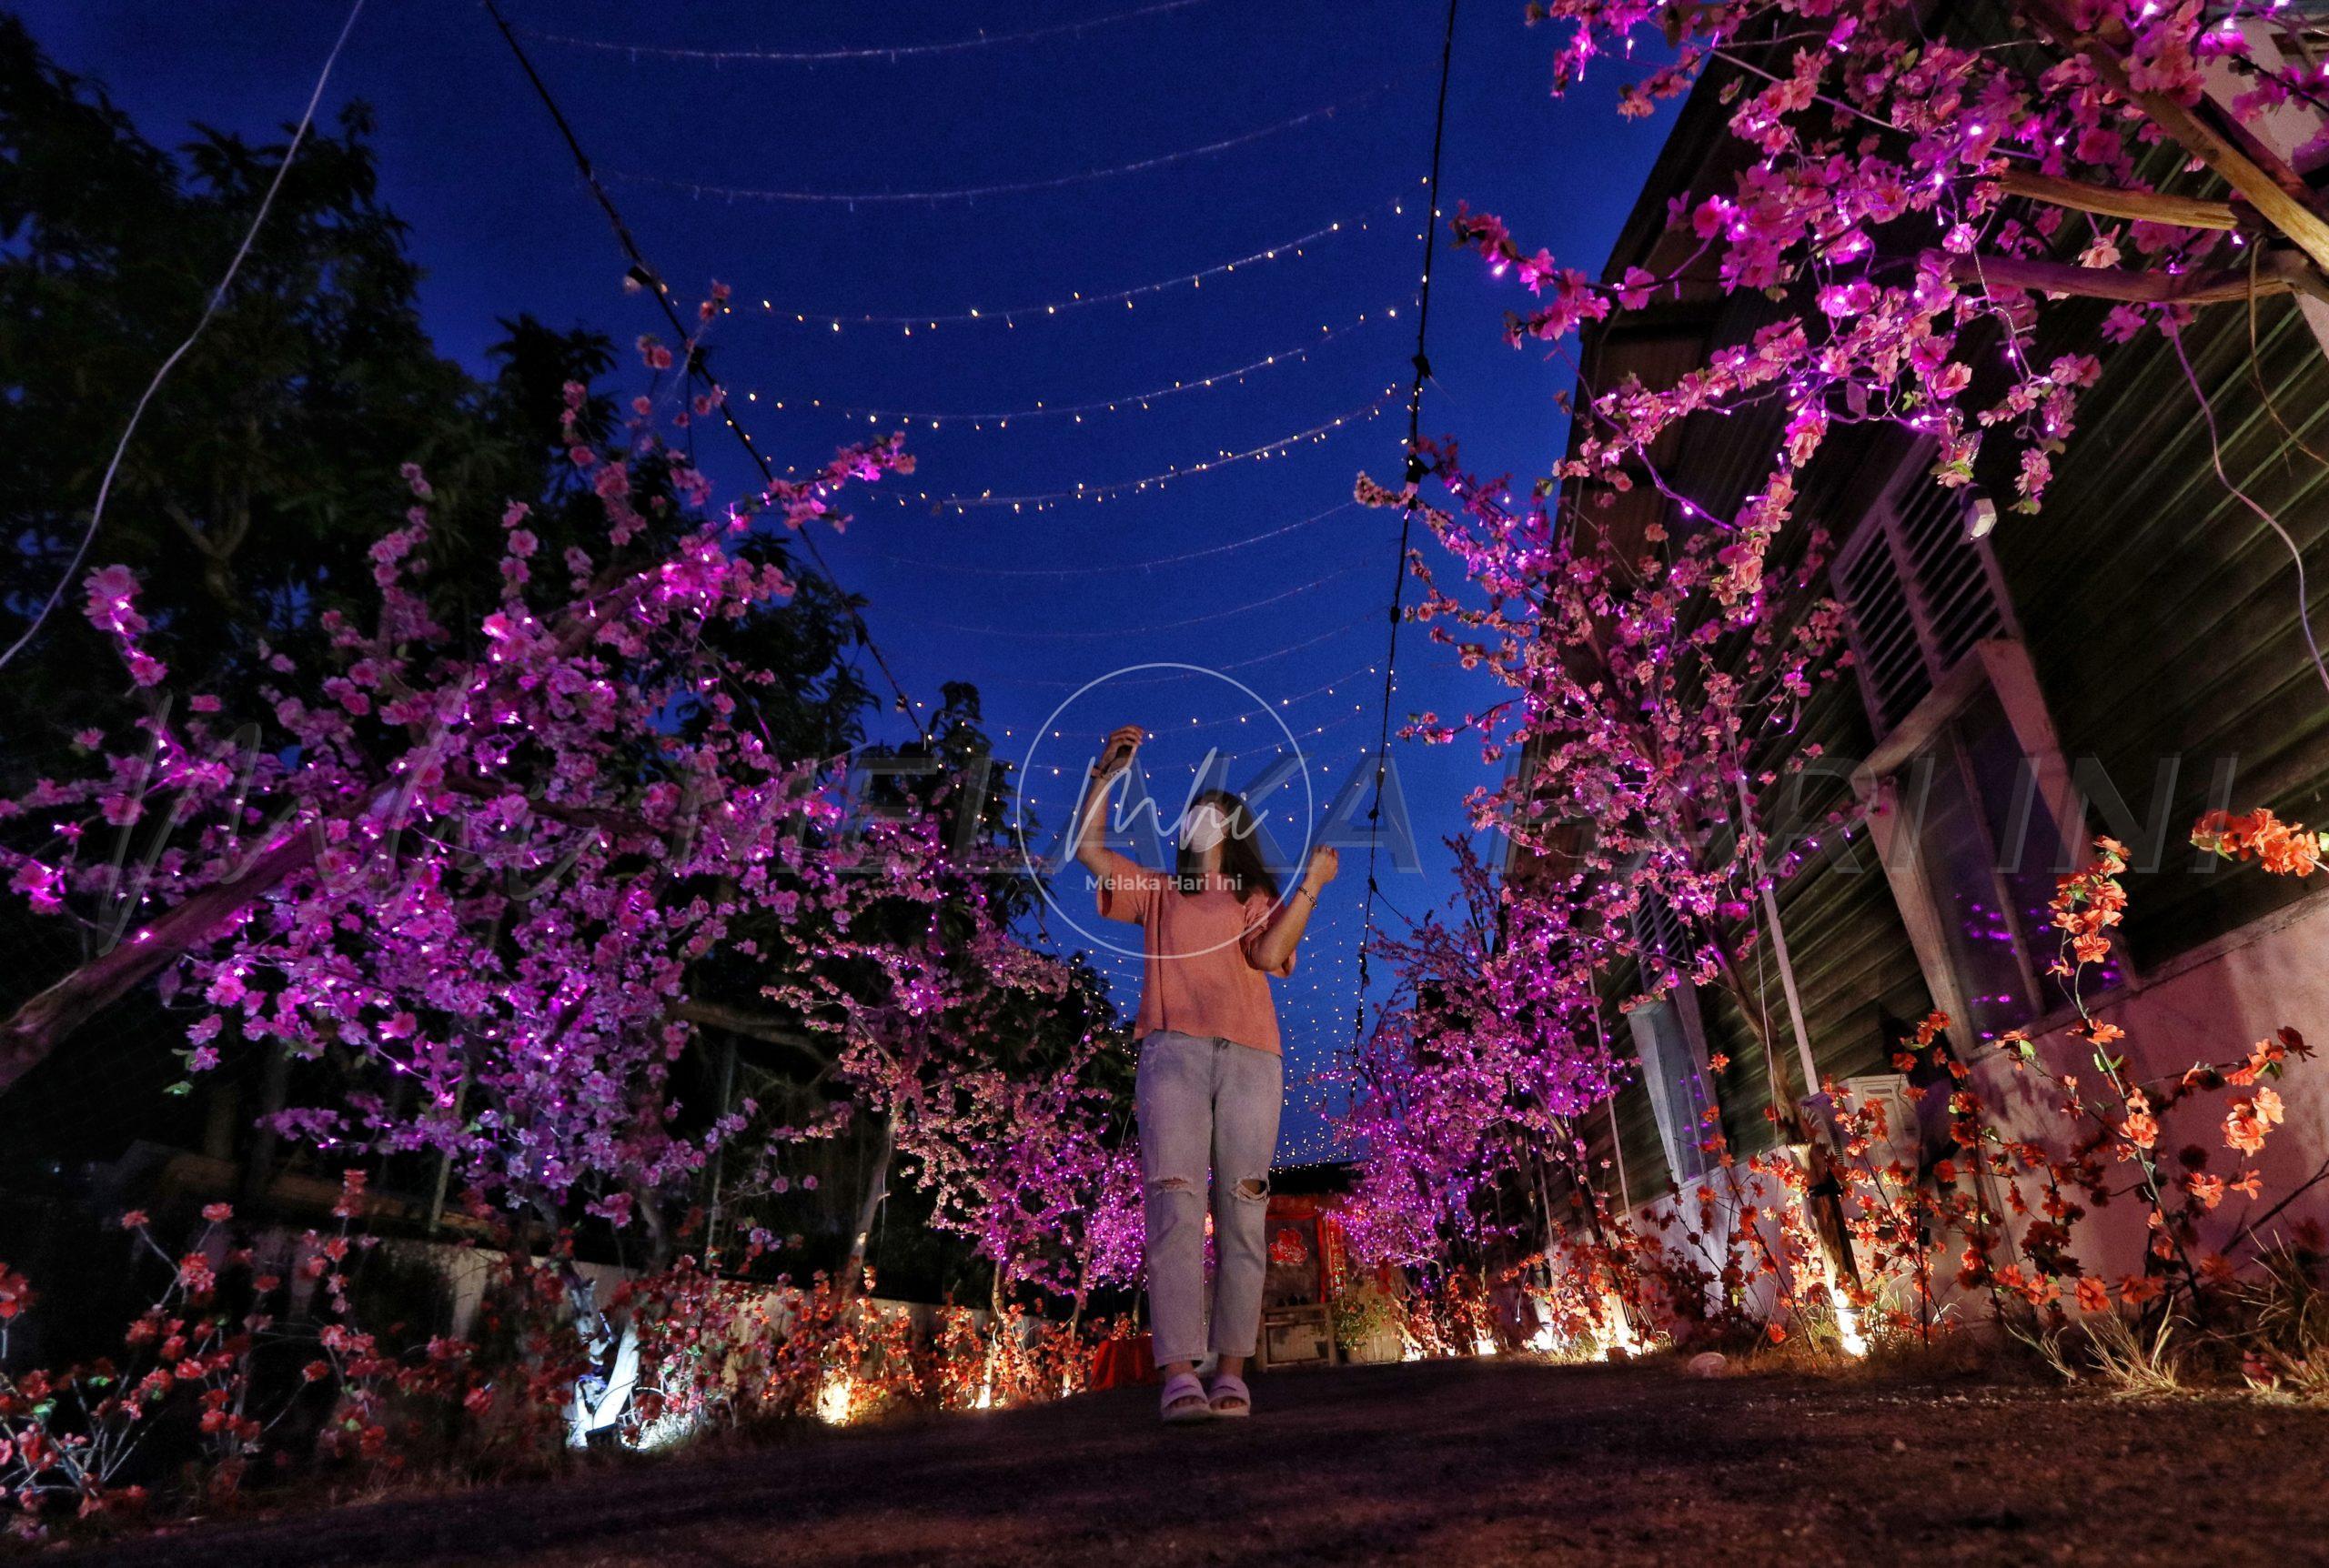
x=1212, y=1075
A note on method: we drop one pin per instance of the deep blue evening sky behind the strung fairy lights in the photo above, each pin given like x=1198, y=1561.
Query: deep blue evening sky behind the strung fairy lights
x=1033, y=605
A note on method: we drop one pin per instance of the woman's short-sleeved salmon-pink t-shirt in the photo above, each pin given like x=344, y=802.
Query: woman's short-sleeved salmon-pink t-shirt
x=1198, y=973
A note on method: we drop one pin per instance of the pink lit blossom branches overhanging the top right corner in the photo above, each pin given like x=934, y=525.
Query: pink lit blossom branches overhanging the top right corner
x=1913, y=188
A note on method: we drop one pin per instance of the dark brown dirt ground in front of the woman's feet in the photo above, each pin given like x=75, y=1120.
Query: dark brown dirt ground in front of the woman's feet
x=1452, y=1464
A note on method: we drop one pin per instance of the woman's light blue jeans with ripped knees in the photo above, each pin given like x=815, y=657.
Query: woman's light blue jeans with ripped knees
x=1203, y=1106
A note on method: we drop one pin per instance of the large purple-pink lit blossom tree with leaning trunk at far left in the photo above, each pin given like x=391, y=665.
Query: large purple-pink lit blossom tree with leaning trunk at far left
x=472, y=873
